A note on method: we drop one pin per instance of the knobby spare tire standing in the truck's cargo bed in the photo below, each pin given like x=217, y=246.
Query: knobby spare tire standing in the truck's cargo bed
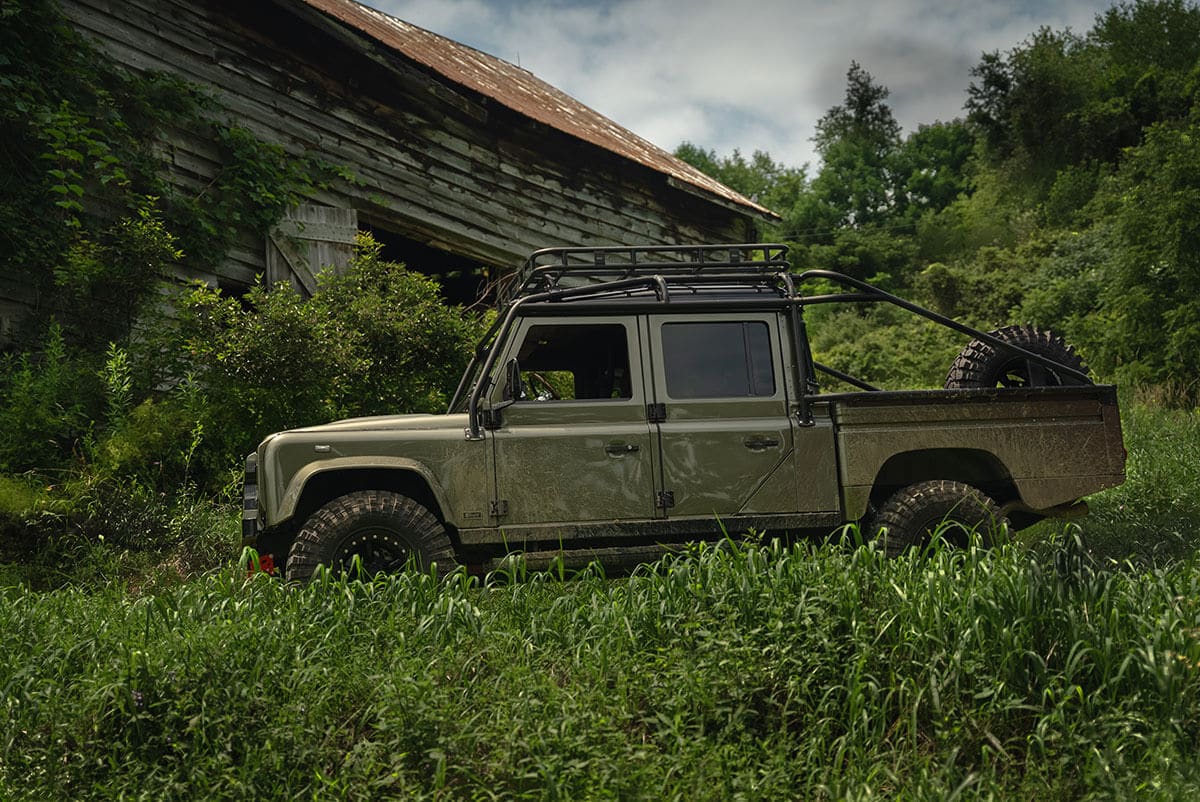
x=985, y=366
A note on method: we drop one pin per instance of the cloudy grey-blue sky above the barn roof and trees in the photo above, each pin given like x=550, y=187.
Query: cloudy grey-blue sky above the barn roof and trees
x=748, y=75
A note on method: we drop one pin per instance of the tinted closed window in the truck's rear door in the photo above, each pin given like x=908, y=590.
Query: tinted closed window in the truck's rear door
x=718, y=361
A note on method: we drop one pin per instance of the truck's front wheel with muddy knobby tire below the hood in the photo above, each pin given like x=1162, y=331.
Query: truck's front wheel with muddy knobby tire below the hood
x=385, y=531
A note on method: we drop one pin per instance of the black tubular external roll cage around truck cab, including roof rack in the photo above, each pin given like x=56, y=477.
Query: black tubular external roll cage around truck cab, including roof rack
x=617, y=277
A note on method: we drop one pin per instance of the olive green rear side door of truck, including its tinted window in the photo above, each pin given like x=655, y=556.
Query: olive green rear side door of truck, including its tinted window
x=722, y=409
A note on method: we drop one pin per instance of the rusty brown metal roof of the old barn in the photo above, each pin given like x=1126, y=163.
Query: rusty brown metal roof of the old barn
x=526, y=94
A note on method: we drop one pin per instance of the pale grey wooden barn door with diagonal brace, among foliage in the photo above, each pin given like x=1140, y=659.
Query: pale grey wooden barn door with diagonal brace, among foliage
x=309, y=240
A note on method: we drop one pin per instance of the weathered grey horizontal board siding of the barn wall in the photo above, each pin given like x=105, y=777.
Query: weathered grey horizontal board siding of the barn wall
x=440, y=164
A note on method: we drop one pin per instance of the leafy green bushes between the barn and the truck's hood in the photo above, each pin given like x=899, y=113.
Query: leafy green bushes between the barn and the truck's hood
x=128, y=458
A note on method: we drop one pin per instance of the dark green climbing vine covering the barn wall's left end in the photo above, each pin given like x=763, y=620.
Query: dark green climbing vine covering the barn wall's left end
x=89, y=219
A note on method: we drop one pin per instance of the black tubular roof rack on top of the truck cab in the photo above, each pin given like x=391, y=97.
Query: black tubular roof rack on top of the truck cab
x=562, y=268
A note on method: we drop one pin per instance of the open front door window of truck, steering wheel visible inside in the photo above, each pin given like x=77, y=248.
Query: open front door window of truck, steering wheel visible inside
x=566, y=362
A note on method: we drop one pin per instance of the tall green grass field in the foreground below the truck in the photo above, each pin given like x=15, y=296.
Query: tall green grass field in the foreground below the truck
x=1066, y=666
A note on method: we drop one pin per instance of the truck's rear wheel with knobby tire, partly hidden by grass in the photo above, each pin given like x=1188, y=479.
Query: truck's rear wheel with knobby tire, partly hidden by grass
x=951, y=511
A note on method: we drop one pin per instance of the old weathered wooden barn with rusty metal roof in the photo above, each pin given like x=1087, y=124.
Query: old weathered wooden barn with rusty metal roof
x=464, y=159
